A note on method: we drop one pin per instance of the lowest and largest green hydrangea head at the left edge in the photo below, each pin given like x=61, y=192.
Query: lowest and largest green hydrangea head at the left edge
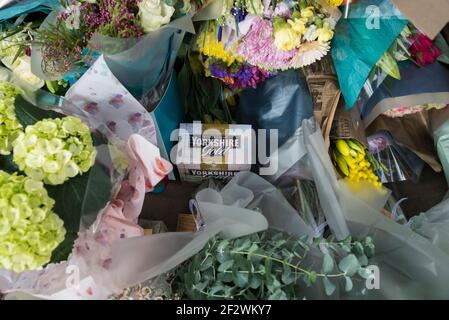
x=29, y=229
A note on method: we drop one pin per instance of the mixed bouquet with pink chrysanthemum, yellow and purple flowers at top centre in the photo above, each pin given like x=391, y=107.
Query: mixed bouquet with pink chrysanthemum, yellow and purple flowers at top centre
x=253, y=40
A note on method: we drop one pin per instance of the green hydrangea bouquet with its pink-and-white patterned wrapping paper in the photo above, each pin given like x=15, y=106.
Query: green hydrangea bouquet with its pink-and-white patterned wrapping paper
x=73, y=181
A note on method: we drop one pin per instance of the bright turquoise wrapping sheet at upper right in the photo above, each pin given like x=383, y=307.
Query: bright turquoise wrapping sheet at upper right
x=361, y=40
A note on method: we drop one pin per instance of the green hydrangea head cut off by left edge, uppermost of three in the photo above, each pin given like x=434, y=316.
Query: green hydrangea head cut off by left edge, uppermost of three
x=9, y=126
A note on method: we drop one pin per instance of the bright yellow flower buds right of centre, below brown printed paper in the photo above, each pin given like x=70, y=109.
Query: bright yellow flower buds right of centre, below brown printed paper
x=350, y=157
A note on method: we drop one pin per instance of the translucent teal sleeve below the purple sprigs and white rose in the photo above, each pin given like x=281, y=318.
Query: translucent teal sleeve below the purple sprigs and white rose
x=144, y=63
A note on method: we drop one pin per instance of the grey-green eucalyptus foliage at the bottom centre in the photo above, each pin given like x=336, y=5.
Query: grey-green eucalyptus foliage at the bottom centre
x=272, y=266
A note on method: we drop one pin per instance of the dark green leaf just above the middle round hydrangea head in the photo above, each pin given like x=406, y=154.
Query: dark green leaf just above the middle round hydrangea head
x=28, y=114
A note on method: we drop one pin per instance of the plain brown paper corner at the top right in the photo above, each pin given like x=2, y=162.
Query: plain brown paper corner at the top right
x=428, y=16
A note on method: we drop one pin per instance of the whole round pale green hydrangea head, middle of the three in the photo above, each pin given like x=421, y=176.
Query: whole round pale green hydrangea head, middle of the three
x=55, y=150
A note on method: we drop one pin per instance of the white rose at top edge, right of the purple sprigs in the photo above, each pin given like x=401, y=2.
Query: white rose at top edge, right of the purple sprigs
x=154, y=14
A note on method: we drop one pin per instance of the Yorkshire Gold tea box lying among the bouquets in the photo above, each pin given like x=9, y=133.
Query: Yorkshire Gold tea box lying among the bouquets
x=213, y=150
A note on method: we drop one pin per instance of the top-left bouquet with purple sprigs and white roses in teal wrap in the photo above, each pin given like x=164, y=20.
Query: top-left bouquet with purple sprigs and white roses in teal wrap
x=60, y=47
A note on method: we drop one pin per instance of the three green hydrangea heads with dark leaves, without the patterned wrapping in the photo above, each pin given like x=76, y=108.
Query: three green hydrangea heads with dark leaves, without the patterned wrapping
x=46, y=158
